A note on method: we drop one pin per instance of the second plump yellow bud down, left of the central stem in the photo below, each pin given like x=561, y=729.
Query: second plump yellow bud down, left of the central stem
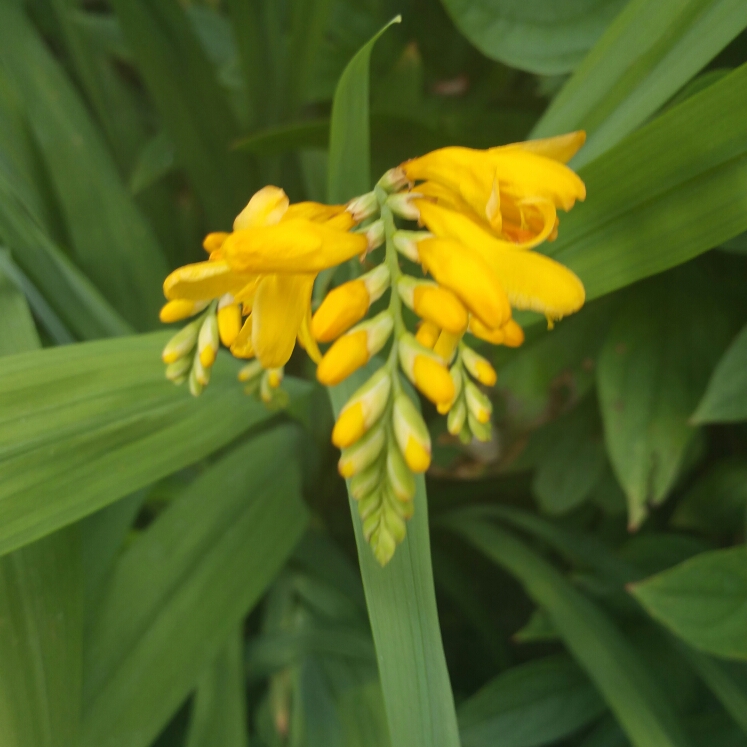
x=354, y=349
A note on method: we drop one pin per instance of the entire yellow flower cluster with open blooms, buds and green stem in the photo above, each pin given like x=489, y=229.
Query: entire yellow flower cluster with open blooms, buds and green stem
x=479, y=215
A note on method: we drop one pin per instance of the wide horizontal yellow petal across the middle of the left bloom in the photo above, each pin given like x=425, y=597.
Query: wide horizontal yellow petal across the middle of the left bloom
x=291, y=246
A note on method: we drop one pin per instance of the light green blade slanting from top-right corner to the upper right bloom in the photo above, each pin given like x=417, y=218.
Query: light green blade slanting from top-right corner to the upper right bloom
x=646, y=55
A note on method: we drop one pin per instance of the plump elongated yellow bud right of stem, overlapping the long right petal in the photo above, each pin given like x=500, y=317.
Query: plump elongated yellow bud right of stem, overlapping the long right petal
x=465, y=272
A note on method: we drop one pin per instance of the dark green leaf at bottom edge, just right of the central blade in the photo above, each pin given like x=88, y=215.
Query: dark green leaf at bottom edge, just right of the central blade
x=532, y=704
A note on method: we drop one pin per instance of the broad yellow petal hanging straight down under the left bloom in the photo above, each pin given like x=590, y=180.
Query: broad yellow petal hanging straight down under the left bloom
x=279, y=307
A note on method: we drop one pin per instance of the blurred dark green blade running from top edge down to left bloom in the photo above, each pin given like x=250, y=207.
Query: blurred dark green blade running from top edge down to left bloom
x=193, y=108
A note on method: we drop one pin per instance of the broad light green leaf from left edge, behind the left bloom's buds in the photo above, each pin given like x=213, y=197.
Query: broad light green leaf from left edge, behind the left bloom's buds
x=84, y=425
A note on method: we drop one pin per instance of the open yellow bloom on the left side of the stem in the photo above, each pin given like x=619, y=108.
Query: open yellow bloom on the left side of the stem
x=266, y=267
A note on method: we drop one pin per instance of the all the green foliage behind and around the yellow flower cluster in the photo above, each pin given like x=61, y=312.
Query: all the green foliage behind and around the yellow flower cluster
x=184, y=572
